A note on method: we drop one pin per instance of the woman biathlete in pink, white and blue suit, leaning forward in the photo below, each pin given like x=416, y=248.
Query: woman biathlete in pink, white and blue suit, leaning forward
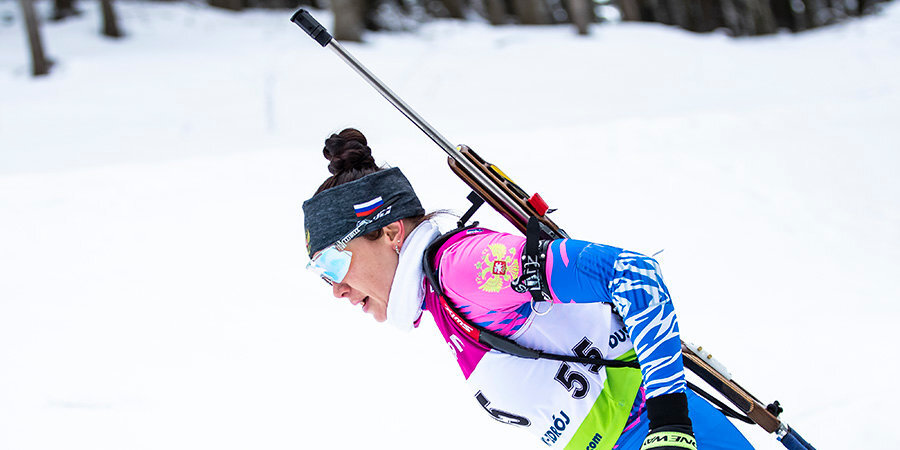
x=367, y=235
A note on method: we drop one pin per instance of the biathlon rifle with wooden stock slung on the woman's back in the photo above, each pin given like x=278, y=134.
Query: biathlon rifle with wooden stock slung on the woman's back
x=478, y=176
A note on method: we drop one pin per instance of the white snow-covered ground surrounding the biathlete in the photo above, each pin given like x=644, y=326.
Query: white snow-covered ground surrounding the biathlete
x=152, y=291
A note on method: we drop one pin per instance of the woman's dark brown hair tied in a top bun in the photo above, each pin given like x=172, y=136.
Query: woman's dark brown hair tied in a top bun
x=350, y=159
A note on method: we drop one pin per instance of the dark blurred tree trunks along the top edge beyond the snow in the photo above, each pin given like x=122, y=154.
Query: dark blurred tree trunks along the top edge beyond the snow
x=353, y=17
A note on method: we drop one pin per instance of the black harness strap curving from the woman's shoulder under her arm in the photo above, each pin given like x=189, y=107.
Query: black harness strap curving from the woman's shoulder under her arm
x=489, y=338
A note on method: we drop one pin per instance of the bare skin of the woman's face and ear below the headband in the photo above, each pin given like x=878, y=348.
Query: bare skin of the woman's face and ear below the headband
x=368, y=281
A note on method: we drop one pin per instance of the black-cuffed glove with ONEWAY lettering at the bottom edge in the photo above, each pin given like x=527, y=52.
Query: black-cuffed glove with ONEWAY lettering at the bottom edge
x=670, y=426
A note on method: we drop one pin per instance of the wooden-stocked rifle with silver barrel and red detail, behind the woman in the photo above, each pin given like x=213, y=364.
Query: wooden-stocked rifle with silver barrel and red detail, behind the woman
x=492, y=185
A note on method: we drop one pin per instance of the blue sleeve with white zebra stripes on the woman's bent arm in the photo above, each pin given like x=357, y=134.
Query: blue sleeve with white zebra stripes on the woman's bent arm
x=586, y=272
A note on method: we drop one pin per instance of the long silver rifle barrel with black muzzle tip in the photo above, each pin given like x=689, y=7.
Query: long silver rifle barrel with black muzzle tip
x=316, y=31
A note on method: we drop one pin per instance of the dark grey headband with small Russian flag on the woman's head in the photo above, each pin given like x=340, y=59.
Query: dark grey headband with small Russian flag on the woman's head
x=339, y=214
